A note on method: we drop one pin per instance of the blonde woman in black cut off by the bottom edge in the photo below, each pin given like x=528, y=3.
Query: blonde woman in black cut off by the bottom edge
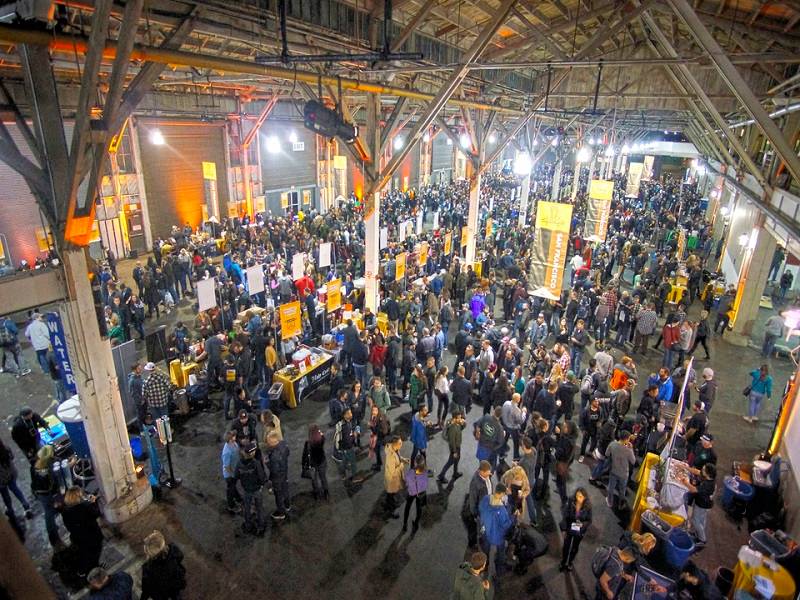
x=163, y=574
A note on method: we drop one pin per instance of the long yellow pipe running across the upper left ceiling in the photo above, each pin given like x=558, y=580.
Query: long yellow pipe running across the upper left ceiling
x=79, y=45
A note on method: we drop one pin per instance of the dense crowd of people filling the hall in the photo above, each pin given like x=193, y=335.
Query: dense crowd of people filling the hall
x=556, y=380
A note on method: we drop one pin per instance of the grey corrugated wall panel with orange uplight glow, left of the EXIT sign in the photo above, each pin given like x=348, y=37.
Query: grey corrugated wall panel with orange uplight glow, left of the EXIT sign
x=173, y=172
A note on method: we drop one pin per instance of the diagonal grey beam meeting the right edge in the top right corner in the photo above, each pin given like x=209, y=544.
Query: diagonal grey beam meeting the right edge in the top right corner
x=738, y=86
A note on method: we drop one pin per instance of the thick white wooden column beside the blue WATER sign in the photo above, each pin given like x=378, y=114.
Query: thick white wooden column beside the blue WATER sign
x=101, y=406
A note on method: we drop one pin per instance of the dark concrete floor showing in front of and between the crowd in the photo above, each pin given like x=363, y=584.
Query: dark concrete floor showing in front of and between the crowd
x=344, y=548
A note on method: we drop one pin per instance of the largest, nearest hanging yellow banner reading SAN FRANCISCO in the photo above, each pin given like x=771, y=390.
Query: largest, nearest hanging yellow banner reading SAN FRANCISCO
x=550, y=248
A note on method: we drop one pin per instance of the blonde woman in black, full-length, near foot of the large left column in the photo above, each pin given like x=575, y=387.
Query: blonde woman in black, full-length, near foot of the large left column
x=80, y=514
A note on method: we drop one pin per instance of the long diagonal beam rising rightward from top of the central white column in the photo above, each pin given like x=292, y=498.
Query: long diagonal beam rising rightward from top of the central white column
x=444, y=94
